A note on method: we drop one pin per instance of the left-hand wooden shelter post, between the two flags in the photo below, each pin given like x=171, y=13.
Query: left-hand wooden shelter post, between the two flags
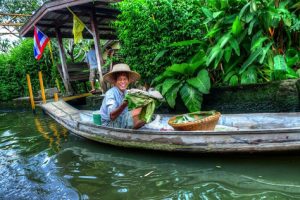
x=63, y=61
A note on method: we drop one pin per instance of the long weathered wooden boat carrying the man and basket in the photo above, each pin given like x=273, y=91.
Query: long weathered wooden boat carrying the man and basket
x=258, y=132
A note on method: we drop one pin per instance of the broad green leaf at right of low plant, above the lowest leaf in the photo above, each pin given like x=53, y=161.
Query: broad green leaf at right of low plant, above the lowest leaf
x=201, y=82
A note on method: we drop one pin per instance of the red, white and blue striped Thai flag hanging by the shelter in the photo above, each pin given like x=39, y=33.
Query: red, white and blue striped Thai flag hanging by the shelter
x=40, y=42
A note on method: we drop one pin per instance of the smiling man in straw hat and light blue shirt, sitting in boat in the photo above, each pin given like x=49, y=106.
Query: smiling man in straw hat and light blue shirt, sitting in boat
x=114, y=111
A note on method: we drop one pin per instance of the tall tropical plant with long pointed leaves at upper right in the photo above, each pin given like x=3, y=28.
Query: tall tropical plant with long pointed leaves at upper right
x=247, y=45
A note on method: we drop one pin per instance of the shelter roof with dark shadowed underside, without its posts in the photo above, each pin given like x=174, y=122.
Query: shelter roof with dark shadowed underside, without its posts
x=54, y=14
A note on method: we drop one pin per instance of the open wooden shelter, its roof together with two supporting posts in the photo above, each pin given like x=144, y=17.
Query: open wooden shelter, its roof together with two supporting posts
x=55, y=20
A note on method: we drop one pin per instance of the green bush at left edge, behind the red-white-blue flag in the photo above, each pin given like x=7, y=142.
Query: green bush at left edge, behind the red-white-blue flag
x=15, y=65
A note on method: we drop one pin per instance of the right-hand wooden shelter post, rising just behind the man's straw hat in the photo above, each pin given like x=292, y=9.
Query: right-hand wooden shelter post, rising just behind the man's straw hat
x=96, y=38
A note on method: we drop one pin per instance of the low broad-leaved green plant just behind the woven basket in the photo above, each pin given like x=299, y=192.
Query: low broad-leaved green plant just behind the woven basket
x=190, y=80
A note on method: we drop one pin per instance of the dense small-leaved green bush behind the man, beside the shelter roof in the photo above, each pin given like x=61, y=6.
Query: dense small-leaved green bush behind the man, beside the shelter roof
x=146, y=27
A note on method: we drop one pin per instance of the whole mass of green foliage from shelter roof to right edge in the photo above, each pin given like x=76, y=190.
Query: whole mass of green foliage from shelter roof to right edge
x=239, y=42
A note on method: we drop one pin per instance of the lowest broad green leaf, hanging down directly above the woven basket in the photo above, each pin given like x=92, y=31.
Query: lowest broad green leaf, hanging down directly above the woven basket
x=191, y=98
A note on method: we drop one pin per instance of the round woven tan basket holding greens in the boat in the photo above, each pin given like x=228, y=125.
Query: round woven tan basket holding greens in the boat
x=205, y=124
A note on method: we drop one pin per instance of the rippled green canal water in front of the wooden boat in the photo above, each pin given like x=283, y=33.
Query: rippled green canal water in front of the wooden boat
x=39, y=159
